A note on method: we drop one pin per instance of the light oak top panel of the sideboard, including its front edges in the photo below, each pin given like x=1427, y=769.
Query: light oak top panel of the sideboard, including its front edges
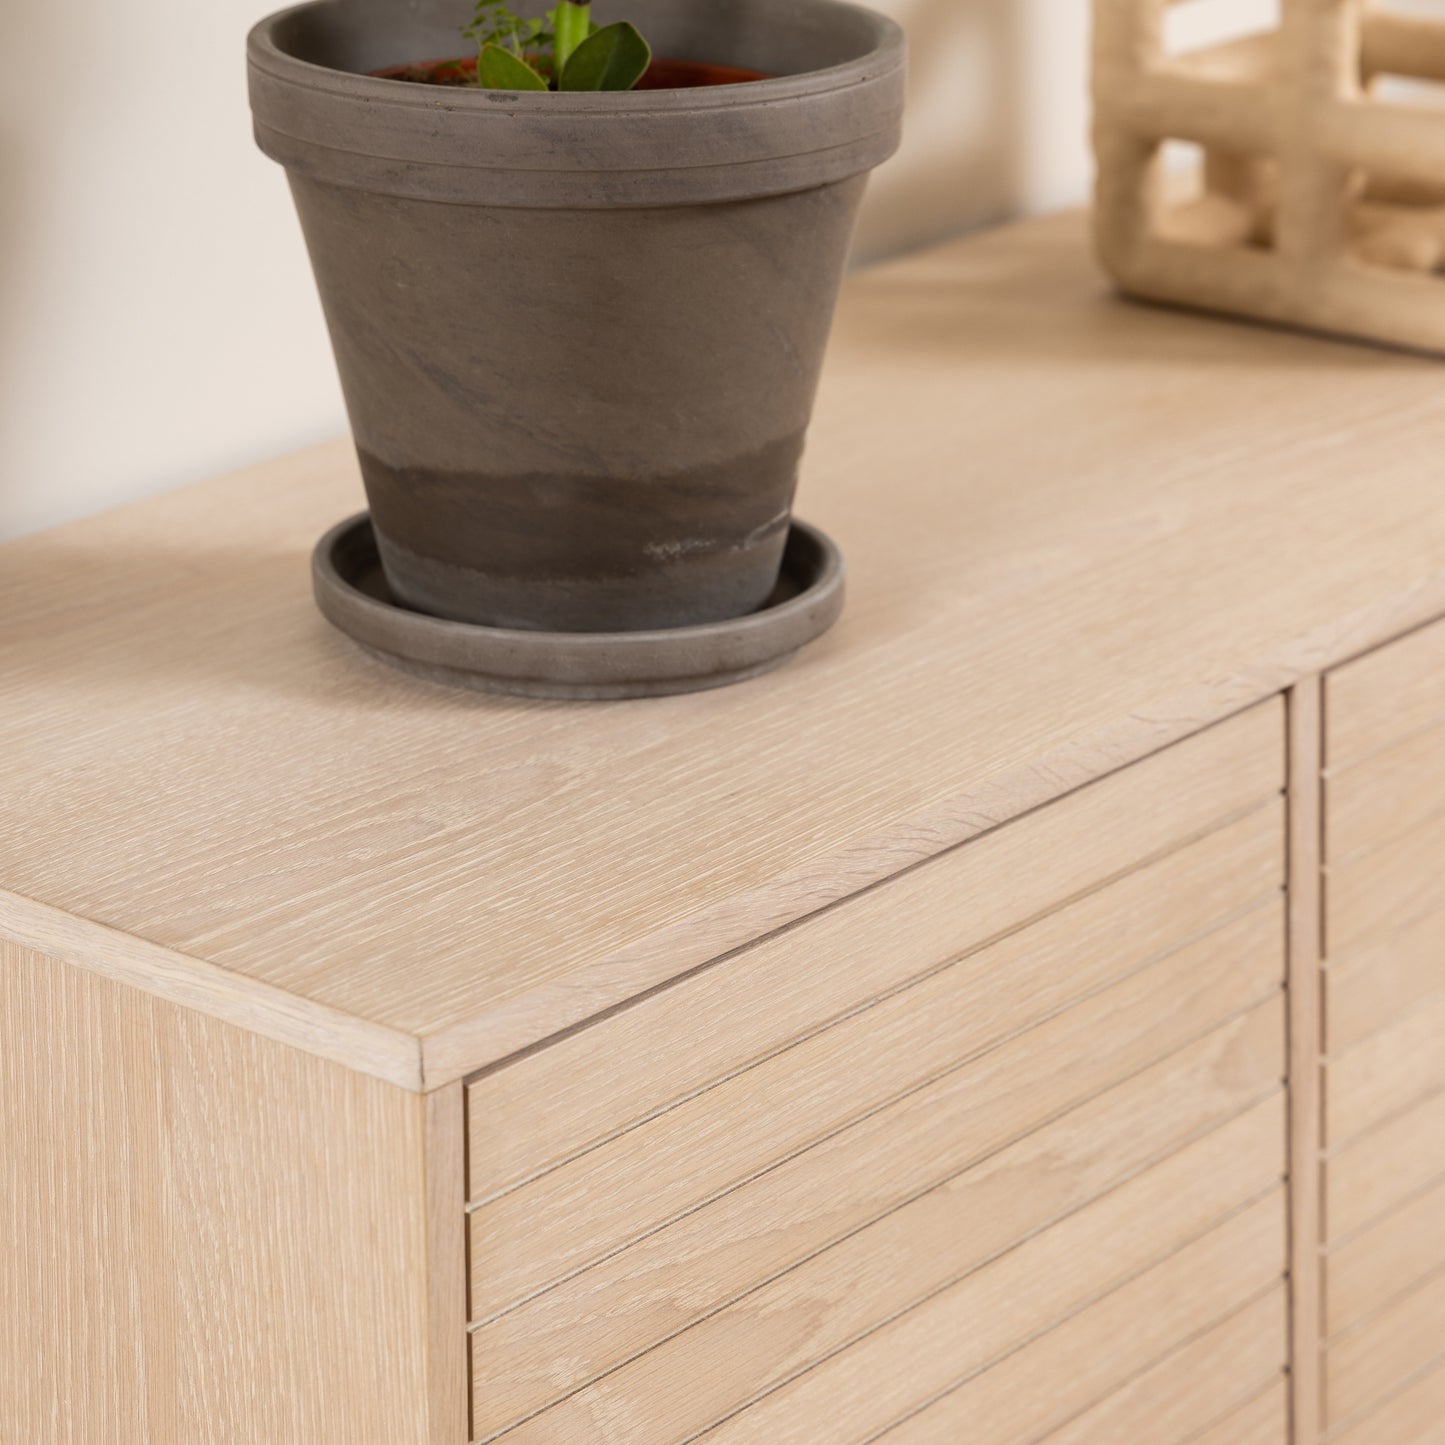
x=1077, y=531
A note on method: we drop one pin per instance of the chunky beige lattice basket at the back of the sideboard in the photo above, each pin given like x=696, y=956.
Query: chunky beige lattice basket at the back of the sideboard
x=1323, y=197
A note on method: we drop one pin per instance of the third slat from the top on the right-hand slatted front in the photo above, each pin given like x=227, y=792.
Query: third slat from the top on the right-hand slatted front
x=1371, y=898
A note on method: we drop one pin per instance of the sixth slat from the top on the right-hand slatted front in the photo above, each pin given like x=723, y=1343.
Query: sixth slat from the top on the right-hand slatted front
x=1385, y=1168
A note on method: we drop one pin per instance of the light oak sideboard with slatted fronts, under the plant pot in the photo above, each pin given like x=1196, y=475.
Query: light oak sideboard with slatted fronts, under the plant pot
x=1017, y=1021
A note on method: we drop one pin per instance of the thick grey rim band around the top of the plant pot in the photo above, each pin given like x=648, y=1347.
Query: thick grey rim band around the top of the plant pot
x=622, y=150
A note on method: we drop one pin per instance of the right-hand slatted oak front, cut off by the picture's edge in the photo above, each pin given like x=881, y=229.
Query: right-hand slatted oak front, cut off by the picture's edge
x=1385, y=1024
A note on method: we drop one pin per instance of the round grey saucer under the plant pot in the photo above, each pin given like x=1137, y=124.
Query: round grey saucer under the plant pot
x=353, y=595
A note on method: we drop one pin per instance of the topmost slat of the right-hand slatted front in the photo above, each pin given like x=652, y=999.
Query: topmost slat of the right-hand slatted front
x=1385, y=697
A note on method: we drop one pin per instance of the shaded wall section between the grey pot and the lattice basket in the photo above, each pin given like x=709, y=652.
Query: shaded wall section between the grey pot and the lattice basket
x=998, y=119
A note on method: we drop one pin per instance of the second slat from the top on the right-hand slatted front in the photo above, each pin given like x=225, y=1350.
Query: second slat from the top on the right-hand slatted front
x=1386, y=795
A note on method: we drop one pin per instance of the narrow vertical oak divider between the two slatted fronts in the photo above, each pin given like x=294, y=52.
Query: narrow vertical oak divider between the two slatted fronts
x=1306, y=989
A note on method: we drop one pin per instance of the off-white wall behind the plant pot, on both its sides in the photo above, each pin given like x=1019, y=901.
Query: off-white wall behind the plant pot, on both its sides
x=157, y=316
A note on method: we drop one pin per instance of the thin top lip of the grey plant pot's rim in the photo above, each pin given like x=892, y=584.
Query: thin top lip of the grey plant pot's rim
x=888, y=54
